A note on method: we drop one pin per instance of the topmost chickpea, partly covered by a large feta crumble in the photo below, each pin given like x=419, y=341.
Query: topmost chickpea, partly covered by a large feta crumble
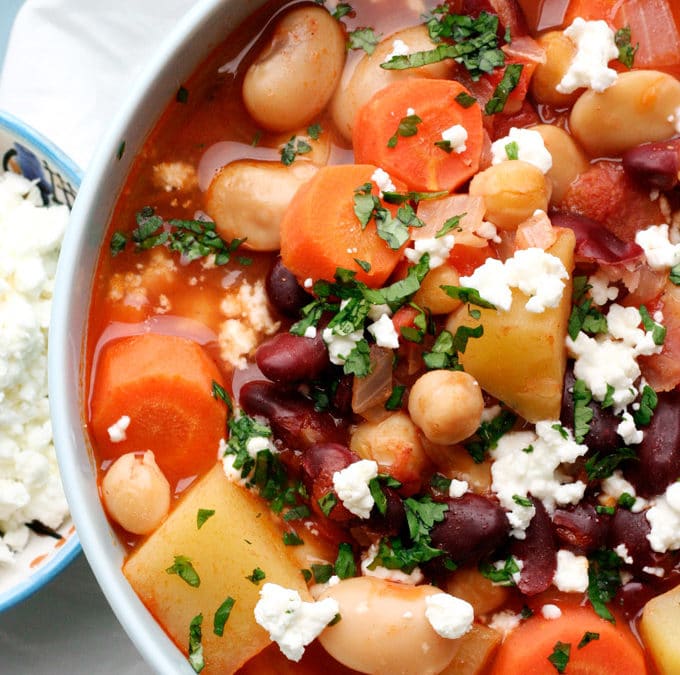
x=559, y=53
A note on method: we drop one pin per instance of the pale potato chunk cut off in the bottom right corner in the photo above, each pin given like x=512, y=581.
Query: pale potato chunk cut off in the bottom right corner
x=659, y=630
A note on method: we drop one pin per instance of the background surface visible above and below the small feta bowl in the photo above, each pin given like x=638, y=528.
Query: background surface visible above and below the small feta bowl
x=68, y=65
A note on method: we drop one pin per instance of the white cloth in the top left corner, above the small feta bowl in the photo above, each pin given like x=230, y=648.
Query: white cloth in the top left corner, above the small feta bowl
x=70, y=63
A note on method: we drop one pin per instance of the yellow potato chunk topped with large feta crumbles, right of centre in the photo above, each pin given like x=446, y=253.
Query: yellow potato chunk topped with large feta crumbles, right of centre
x=521, y=357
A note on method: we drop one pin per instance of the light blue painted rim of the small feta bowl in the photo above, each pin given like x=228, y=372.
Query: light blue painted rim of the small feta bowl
x=63, y=556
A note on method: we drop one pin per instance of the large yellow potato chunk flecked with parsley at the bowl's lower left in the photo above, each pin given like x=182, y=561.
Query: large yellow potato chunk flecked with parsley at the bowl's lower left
x=238, y=538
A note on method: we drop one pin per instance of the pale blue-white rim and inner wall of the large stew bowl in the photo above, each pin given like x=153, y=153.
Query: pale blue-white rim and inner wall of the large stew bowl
x=207, y=24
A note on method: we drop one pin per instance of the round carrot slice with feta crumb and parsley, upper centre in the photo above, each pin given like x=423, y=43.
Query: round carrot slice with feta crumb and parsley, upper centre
x=415, y=159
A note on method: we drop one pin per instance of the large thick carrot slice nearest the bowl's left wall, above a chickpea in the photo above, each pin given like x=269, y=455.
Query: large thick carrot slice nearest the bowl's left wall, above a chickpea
x=163, y=383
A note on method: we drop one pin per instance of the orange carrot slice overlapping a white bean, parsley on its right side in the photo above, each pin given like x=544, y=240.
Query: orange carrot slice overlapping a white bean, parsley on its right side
x=320, y=231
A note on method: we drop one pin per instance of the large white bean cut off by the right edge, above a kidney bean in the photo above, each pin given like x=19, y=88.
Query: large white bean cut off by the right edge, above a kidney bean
x=641, y=106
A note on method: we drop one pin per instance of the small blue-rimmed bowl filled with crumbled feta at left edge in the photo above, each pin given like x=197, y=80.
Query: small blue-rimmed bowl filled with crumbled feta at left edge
x=38, y=185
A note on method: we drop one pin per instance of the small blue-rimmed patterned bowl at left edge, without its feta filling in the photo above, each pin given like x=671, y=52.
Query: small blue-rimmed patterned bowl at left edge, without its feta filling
x=24, y=150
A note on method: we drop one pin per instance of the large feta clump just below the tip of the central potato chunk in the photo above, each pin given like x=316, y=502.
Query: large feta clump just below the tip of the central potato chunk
x=518, y=473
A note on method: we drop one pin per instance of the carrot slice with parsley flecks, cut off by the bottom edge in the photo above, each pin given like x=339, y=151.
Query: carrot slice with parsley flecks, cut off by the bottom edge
x=528, y=648
